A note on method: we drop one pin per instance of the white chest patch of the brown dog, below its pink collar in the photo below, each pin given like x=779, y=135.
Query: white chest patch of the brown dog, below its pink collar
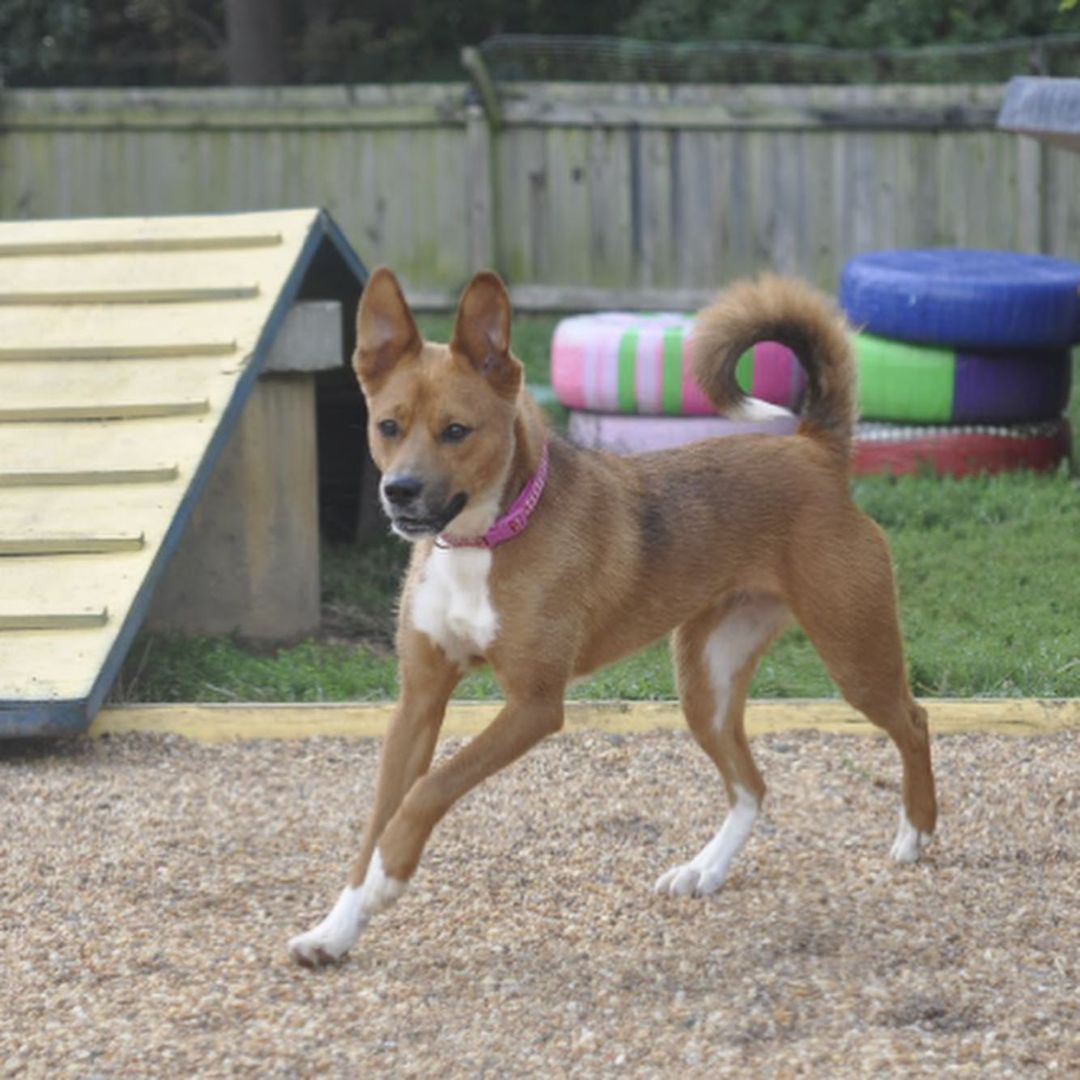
x=452, y=603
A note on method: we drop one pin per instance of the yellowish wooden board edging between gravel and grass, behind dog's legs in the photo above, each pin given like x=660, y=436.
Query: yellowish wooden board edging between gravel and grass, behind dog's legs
x=213, y=723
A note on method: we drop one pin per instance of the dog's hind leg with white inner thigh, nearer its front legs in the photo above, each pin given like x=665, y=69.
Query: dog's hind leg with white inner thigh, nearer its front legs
x=715, y=658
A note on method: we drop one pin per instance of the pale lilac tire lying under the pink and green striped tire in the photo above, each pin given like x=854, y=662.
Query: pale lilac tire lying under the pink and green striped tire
x=637, y=435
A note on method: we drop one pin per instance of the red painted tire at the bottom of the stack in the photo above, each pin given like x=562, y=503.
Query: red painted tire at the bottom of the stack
x=961, y=452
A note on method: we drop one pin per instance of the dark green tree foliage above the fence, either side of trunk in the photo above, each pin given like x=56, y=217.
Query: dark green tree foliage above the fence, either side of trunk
x=85, y=43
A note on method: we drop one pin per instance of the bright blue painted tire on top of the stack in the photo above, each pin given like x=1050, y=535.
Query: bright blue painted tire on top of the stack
x=957, y=298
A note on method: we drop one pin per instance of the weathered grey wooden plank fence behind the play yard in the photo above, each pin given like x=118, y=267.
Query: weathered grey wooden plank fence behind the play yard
x=583, y=196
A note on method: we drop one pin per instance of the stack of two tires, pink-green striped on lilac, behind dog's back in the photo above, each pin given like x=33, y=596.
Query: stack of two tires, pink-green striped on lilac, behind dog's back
x=626, y=381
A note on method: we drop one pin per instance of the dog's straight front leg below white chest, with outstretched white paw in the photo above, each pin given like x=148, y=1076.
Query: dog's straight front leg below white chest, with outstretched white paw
x=428, y=680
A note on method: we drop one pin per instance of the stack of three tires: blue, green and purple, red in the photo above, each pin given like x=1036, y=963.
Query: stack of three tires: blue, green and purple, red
x=964, y=359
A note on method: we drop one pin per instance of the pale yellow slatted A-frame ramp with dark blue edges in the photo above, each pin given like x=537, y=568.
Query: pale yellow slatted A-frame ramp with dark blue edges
x=128, y=348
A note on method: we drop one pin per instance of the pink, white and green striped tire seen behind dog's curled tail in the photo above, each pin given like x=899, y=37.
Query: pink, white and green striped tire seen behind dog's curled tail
x=622, y=362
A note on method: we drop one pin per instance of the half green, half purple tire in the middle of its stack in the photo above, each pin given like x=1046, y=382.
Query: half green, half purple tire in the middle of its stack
x=923, y=384
